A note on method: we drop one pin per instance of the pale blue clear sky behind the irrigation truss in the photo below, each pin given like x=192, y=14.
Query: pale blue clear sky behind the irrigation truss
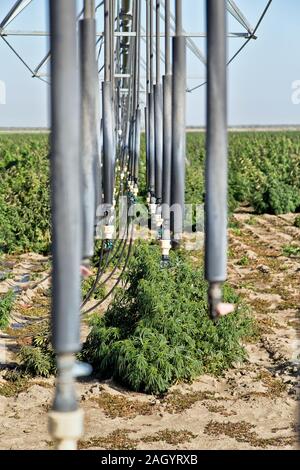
x=260, y=79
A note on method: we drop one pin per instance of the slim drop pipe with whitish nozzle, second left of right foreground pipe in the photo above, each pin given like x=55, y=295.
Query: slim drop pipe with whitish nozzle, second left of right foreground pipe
x=167, y=136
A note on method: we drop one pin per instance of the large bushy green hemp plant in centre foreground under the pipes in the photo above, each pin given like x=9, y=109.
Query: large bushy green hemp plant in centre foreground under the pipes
x=157, y=331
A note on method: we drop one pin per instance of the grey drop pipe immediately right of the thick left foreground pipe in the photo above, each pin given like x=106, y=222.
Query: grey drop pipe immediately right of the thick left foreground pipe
x=89, y=126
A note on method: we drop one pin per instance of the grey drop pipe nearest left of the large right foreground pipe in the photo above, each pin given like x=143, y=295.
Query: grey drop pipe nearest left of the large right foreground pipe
x=178, y=129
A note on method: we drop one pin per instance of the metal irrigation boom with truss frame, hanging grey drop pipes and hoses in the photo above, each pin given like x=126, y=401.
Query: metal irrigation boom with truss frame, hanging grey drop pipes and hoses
x=96, y=152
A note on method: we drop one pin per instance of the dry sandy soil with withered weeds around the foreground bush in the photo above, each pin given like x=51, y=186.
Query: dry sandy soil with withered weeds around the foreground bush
x=252, y=406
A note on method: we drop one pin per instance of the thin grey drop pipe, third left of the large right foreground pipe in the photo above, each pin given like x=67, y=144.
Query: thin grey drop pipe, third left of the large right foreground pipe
x=158, y=112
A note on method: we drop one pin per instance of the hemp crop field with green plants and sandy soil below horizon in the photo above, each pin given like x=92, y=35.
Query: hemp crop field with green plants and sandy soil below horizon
x=164, y=375
